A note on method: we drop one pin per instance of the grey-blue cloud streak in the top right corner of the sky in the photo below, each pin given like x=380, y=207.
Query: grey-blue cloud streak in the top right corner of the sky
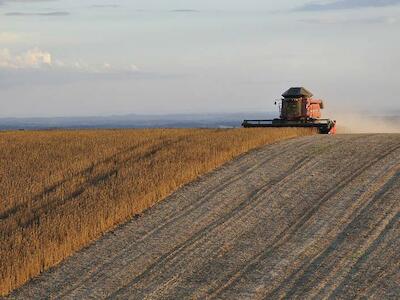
x=346, y=4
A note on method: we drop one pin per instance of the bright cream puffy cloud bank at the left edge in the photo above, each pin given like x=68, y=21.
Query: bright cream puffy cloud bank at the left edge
x=38, y=59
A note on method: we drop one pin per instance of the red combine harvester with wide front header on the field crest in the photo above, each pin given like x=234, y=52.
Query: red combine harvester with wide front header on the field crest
x=297, y=109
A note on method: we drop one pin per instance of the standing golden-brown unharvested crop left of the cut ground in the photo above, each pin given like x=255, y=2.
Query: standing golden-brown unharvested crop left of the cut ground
x=60, y=190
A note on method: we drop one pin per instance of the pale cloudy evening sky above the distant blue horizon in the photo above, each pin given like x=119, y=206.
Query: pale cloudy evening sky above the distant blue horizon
x=110, y=57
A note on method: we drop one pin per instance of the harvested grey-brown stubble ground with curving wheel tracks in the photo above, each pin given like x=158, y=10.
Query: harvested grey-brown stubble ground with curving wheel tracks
x=310, y=217
